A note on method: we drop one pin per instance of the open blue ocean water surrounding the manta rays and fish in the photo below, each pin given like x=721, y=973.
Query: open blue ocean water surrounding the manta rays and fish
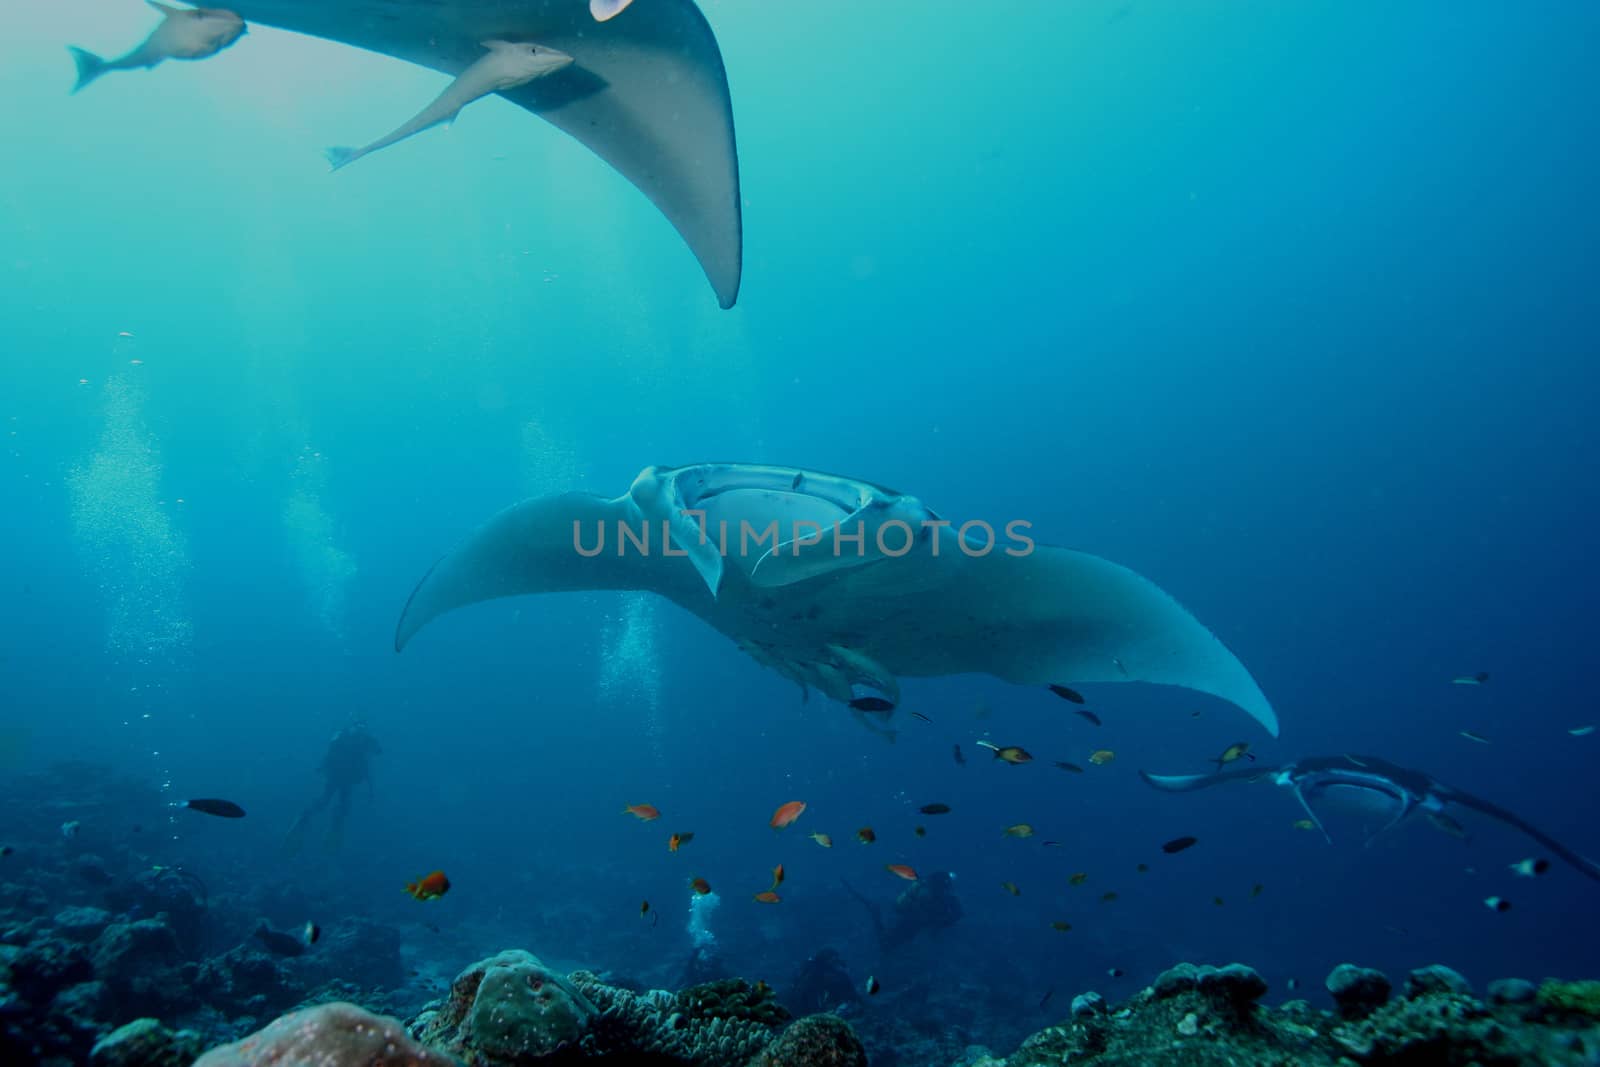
x=1289, y=308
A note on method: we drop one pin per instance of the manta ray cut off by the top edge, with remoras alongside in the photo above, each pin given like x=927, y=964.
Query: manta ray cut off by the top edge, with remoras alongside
x=647, y=92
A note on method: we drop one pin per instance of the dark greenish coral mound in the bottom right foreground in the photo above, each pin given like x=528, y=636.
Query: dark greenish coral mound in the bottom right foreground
x=1204, y=1017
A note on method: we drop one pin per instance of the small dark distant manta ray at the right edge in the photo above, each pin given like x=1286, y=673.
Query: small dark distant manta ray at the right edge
x=1372, y=783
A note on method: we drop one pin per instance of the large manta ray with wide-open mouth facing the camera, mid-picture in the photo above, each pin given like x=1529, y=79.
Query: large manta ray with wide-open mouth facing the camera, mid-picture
x=842, y=586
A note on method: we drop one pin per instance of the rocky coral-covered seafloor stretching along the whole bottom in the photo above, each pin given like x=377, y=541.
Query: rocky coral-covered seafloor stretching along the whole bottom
x=111, y=962
